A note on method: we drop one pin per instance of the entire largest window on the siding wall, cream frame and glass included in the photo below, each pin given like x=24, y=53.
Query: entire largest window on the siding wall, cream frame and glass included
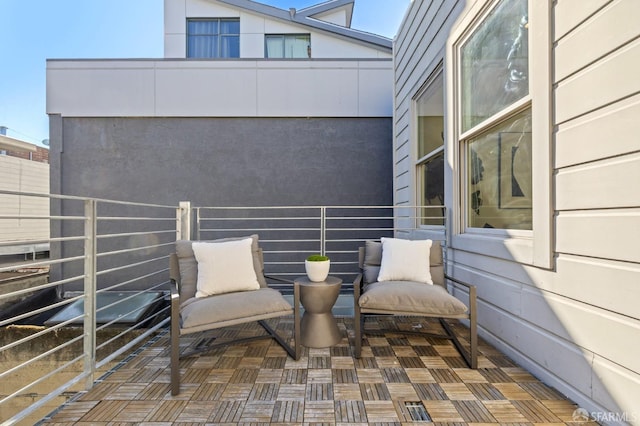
x=500, y=127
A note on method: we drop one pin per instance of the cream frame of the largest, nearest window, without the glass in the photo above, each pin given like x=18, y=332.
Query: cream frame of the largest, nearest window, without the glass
x=532, y=247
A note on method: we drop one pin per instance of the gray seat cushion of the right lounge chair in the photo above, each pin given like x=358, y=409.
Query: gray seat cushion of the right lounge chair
x=411, y=298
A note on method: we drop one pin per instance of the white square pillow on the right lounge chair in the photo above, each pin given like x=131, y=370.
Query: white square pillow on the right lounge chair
x=405, y=260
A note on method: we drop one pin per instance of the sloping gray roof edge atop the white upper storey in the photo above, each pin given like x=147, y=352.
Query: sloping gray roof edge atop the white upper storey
x=304, y=19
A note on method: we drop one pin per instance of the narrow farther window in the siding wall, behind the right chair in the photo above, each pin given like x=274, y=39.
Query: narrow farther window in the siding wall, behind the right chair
x=429, y=107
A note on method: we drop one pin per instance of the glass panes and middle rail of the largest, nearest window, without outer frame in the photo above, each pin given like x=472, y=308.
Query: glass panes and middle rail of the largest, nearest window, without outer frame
x=495, y=109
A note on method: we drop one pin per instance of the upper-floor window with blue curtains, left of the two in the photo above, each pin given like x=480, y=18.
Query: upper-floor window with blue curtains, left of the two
x=213, y=38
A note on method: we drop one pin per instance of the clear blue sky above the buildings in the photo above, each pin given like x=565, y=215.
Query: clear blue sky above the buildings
x=34, y=30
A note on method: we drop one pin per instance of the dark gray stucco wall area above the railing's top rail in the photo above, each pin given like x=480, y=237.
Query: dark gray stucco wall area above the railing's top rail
x=226, y=161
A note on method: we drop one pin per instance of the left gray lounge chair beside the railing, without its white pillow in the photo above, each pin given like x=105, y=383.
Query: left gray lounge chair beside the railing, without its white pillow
x=191, y=314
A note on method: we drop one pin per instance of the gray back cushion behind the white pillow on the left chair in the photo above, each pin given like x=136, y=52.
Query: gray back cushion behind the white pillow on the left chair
x=189, y=265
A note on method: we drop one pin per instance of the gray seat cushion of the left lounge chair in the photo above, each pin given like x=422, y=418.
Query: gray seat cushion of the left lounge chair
x=199, y=313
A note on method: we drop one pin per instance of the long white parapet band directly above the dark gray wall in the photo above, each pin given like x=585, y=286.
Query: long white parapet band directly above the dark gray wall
x=220, y=88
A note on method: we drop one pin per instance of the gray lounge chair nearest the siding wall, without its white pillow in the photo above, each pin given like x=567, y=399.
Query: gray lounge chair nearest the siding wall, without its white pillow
x=408, y=298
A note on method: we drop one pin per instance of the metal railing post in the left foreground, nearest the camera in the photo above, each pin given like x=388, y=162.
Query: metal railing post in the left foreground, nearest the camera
x=90, y=287
